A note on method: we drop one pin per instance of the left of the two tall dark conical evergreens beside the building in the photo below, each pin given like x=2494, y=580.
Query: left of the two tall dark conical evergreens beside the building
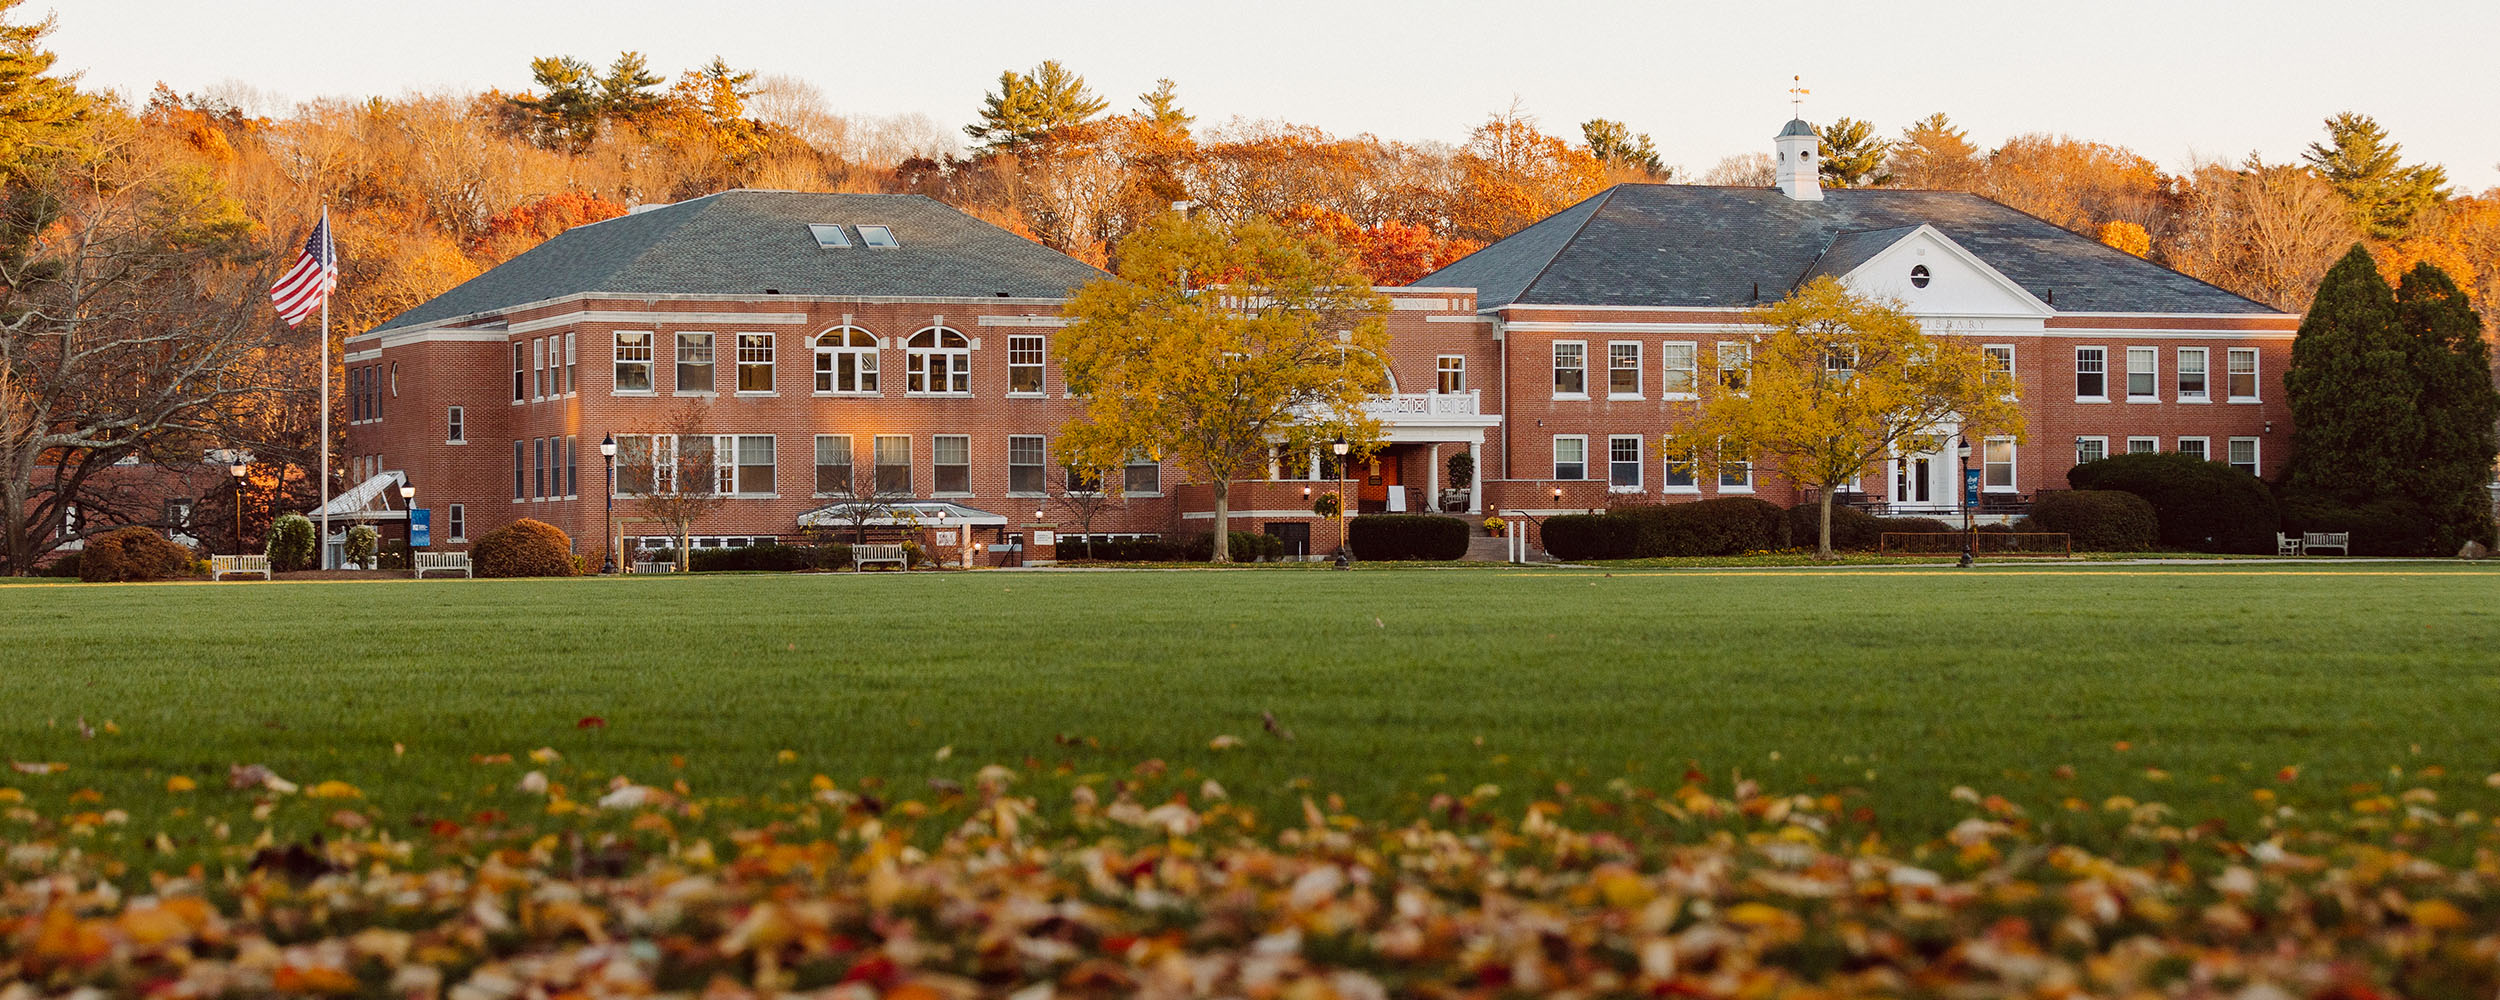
x=2356, y=404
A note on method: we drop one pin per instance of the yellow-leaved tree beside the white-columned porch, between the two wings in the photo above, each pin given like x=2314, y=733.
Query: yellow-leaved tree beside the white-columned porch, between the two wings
x=1216, y=344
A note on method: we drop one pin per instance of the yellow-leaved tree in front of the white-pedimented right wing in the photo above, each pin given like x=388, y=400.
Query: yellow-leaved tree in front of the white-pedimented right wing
x=1841, y=384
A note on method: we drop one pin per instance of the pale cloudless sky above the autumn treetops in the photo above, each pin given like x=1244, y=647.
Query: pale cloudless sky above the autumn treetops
x=2174, y=81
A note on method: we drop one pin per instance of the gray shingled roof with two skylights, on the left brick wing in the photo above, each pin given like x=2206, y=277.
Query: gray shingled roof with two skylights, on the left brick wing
x=749, y=241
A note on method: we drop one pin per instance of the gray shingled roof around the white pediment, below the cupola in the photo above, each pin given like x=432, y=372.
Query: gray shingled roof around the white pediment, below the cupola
x=1716, y=246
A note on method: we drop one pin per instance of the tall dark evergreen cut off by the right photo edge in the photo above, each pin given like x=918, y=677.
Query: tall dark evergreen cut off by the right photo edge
x=2459, y=406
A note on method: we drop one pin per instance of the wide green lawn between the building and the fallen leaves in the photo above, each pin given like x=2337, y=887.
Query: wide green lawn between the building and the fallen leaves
x=1396, y=684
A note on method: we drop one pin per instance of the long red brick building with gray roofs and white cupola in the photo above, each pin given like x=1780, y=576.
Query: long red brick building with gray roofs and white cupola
x=841, y=331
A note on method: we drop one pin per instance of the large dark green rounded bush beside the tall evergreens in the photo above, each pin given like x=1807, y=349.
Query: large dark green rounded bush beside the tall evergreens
x=2201, y=506
